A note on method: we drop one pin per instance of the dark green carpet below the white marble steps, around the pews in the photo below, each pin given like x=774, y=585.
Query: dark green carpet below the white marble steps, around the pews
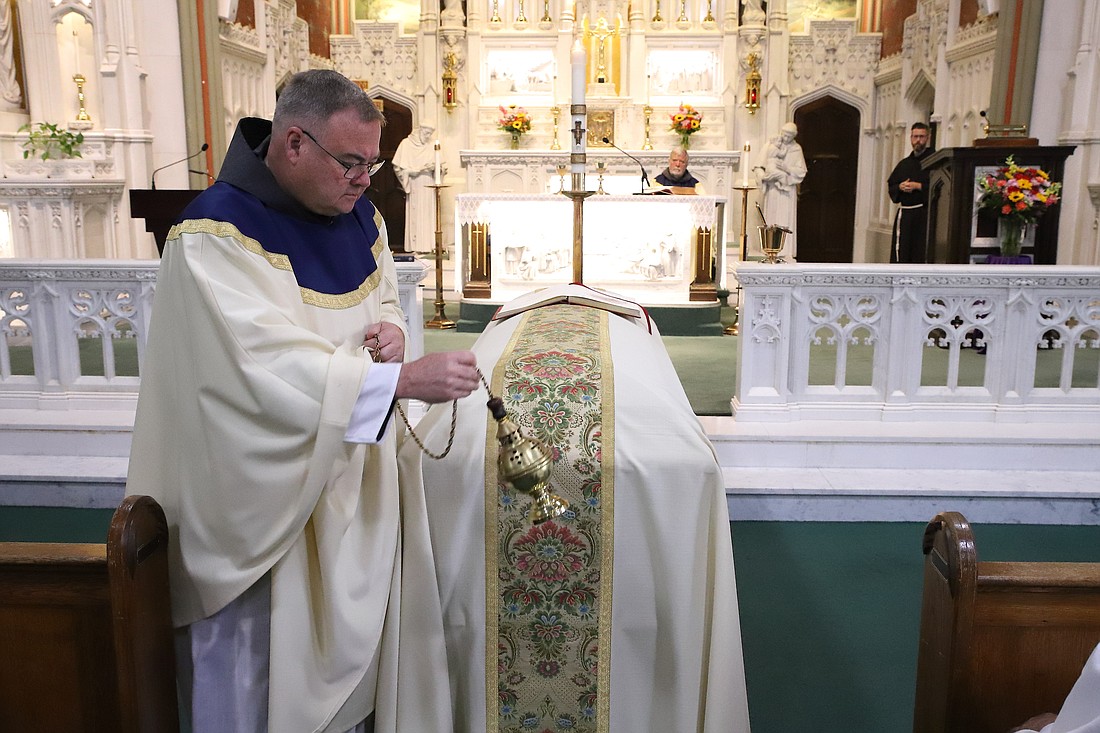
x=830, y=610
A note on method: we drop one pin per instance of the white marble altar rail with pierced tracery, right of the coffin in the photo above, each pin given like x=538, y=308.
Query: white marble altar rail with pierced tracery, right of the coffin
x=919, y=344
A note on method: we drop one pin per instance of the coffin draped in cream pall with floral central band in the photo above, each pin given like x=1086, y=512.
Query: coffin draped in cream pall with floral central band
x=622, y=615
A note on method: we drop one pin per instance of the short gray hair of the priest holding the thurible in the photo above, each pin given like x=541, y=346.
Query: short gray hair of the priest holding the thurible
x=316, y=95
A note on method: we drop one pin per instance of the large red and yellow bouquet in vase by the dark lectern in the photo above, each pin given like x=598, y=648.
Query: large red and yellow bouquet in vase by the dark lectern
x=1019, y=196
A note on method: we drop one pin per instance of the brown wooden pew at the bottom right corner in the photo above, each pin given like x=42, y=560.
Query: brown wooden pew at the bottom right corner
x=1000, y=642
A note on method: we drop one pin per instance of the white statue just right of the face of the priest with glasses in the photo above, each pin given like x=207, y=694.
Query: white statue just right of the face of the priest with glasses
x=415, y=167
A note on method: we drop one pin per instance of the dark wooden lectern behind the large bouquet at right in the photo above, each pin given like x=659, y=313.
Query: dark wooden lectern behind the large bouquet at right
x=959, y=234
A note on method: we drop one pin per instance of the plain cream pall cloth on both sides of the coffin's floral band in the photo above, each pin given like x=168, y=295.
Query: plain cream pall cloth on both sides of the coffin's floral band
x=676, y=660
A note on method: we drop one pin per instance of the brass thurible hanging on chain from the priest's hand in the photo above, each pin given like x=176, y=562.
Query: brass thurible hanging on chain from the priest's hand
x=524, y=464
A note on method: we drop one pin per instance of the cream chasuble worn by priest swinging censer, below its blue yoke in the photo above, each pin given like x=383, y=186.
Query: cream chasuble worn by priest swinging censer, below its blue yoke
x=240, y=436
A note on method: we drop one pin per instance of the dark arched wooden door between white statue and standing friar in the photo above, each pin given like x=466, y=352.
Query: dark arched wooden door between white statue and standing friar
x=829, y=133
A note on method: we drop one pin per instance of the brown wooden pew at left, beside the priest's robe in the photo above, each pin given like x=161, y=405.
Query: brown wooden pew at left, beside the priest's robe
x=86, y=640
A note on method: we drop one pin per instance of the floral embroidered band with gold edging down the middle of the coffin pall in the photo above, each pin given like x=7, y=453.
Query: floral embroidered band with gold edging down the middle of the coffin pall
x=549, y=586
